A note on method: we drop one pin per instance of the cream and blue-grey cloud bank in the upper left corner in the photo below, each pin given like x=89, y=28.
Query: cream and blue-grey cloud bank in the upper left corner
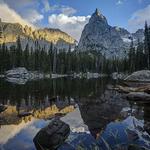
x=10, y=12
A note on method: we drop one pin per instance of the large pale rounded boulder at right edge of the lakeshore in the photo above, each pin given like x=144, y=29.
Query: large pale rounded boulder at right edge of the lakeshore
x=142, y=75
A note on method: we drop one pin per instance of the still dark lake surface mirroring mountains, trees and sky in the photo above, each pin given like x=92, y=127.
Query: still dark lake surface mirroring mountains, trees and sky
x=108, y=120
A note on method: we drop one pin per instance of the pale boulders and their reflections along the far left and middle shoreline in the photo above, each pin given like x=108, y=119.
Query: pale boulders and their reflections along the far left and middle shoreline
x=21, y=75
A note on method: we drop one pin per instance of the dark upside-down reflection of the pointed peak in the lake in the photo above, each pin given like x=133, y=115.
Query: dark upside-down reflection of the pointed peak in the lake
x=97, y=112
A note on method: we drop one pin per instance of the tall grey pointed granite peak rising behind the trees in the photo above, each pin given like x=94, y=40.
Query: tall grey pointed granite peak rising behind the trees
x=111, y=41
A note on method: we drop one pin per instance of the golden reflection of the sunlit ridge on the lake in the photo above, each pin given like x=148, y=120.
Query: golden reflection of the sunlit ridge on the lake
x=12, y=115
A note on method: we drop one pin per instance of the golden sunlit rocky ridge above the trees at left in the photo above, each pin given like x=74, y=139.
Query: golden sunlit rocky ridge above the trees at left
x=9, y=33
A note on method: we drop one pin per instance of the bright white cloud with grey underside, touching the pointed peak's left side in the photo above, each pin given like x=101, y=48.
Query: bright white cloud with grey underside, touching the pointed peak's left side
x=73, y=25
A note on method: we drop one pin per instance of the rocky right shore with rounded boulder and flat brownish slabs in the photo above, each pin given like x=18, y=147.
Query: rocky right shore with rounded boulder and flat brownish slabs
x=136, y=87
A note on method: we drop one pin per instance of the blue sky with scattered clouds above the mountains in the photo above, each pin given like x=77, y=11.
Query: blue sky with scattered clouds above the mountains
x=71, y=15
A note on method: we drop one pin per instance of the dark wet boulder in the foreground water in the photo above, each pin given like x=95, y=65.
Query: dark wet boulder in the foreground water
x=52, y=136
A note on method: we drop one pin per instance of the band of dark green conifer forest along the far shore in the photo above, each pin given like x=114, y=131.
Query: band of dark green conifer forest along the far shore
x=66, y=61
